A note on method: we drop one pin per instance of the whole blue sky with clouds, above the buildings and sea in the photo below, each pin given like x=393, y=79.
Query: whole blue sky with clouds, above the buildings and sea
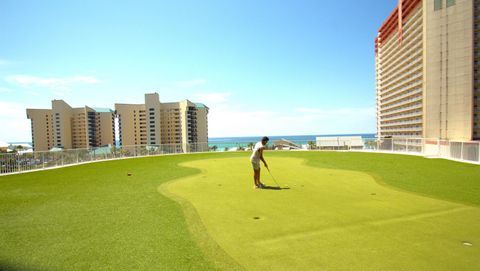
x=263, y=67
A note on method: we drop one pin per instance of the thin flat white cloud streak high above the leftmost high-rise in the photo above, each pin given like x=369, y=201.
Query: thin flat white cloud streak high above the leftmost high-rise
x=54, y=83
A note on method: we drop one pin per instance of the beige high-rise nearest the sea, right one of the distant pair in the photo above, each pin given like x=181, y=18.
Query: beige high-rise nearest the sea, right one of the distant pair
x=155, y=123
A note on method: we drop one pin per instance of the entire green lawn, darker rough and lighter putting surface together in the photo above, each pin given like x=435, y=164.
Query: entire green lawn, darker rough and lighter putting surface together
x=95, y=217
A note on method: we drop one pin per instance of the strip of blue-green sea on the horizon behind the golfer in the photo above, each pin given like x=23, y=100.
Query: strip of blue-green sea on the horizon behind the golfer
x=230, y=142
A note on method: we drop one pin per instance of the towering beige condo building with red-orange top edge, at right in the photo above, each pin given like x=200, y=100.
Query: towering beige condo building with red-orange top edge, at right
x=427, y=57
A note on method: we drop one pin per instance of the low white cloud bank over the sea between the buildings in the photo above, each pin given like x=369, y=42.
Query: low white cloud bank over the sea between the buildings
x=228, y=120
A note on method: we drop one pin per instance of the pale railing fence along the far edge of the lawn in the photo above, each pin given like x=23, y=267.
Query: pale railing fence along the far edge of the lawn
x=454, y=150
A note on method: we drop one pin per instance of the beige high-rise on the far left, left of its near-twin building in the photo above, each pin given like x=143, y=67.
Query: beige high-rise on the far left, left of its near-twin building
x=71, y=128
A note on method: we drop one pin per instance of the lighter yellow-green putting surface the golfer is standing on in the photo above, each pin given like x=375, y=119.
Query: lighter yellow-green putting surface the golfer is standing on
x=329, y=219
